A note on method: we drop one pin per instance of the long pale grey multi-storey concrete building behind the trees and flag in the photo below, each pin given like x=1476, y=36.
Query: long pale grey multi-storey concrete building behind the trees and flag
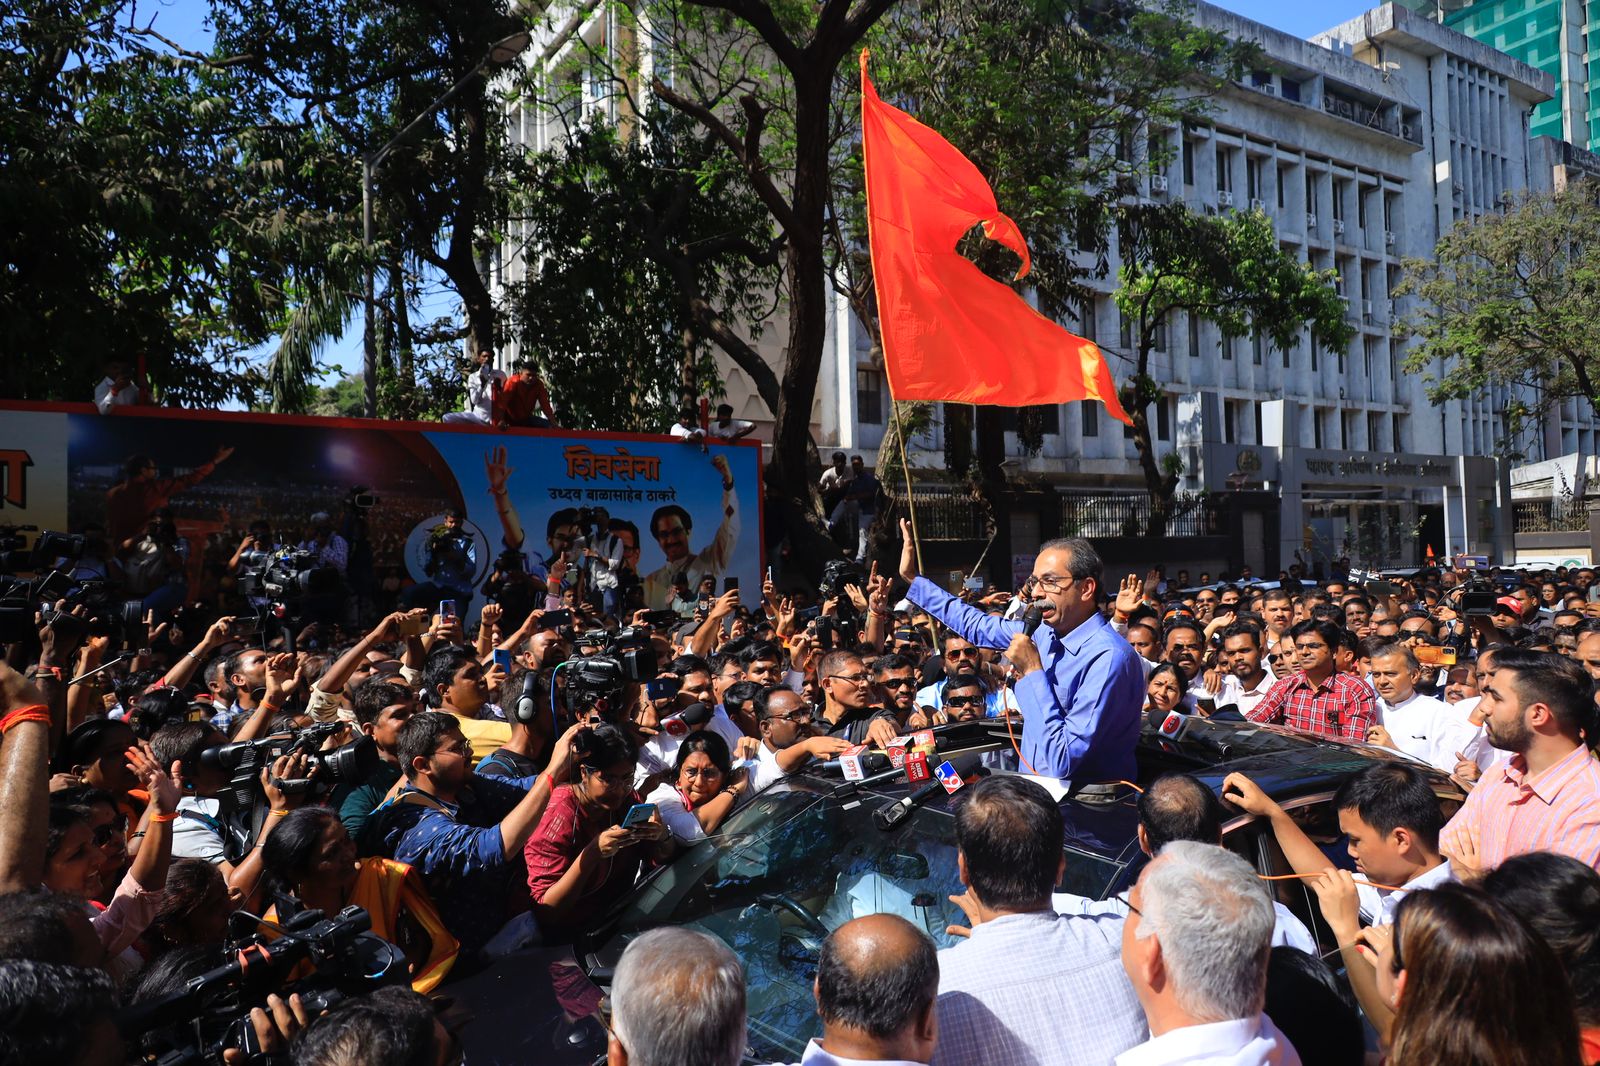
x=1364, y=146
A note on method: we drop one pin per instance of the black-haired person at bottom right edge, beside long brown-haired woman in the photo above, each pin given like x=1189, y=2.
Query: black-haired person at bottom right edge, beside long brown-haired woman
x=1561, y=899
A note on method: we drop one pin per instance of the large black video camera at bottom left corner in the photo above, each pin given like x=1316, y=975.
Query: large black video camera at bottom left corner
x=210, y=1014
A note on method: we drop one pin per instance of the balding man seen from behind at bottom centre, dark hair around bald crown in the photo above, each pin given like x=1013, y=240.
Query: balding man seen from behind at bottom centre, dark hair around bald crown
x=878, y=982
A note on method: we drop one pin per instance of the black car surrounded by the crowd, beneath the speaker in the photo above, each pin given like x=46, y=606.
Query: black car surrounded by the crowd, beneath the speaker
x=817, y=851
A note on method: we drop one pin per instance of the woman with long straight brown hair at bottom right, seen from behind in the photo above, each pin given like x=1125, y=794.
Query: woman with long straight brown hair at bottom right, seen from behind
x=1473, y=985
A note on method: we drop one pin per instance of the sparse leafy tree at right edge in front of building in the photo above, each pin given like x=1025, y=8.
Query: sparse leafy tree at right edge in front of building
x=1510, y=300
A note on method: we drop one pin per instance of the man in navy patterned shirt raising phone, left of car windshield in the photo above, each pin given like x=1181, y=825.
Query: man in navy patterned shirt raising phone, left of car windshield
x=465, y=833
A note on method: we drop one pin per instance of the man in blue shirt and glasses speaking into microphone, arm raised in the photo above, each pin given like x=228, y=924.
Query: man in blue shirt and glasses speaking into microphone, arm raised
x=1079, y=683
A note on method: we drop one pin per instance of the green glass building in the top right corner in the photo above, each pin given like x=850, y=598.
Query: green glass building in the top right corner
x=1550, y=36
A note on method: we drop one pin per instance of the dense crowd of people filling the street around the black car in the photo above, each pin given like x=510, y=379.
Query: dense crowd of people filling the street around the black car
x=220, y=787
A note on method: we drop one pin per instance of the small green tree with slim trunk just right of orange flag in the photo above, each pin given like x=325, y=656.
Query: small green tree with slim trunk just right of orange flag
x=1228, y=270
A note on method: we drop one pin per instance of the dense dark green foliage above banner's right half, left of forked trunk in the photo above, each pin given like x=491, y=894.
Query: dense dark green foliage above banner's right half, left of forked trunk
x=630, y=244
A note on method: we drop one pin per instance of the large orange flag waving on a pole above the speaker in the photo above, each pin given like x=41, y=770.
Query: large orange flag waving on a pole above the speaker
x=950, y=332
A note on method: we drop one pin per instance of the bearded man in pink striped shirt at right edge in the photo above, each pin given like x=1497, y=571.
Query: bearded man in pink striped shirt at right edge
x=1546, y=796
